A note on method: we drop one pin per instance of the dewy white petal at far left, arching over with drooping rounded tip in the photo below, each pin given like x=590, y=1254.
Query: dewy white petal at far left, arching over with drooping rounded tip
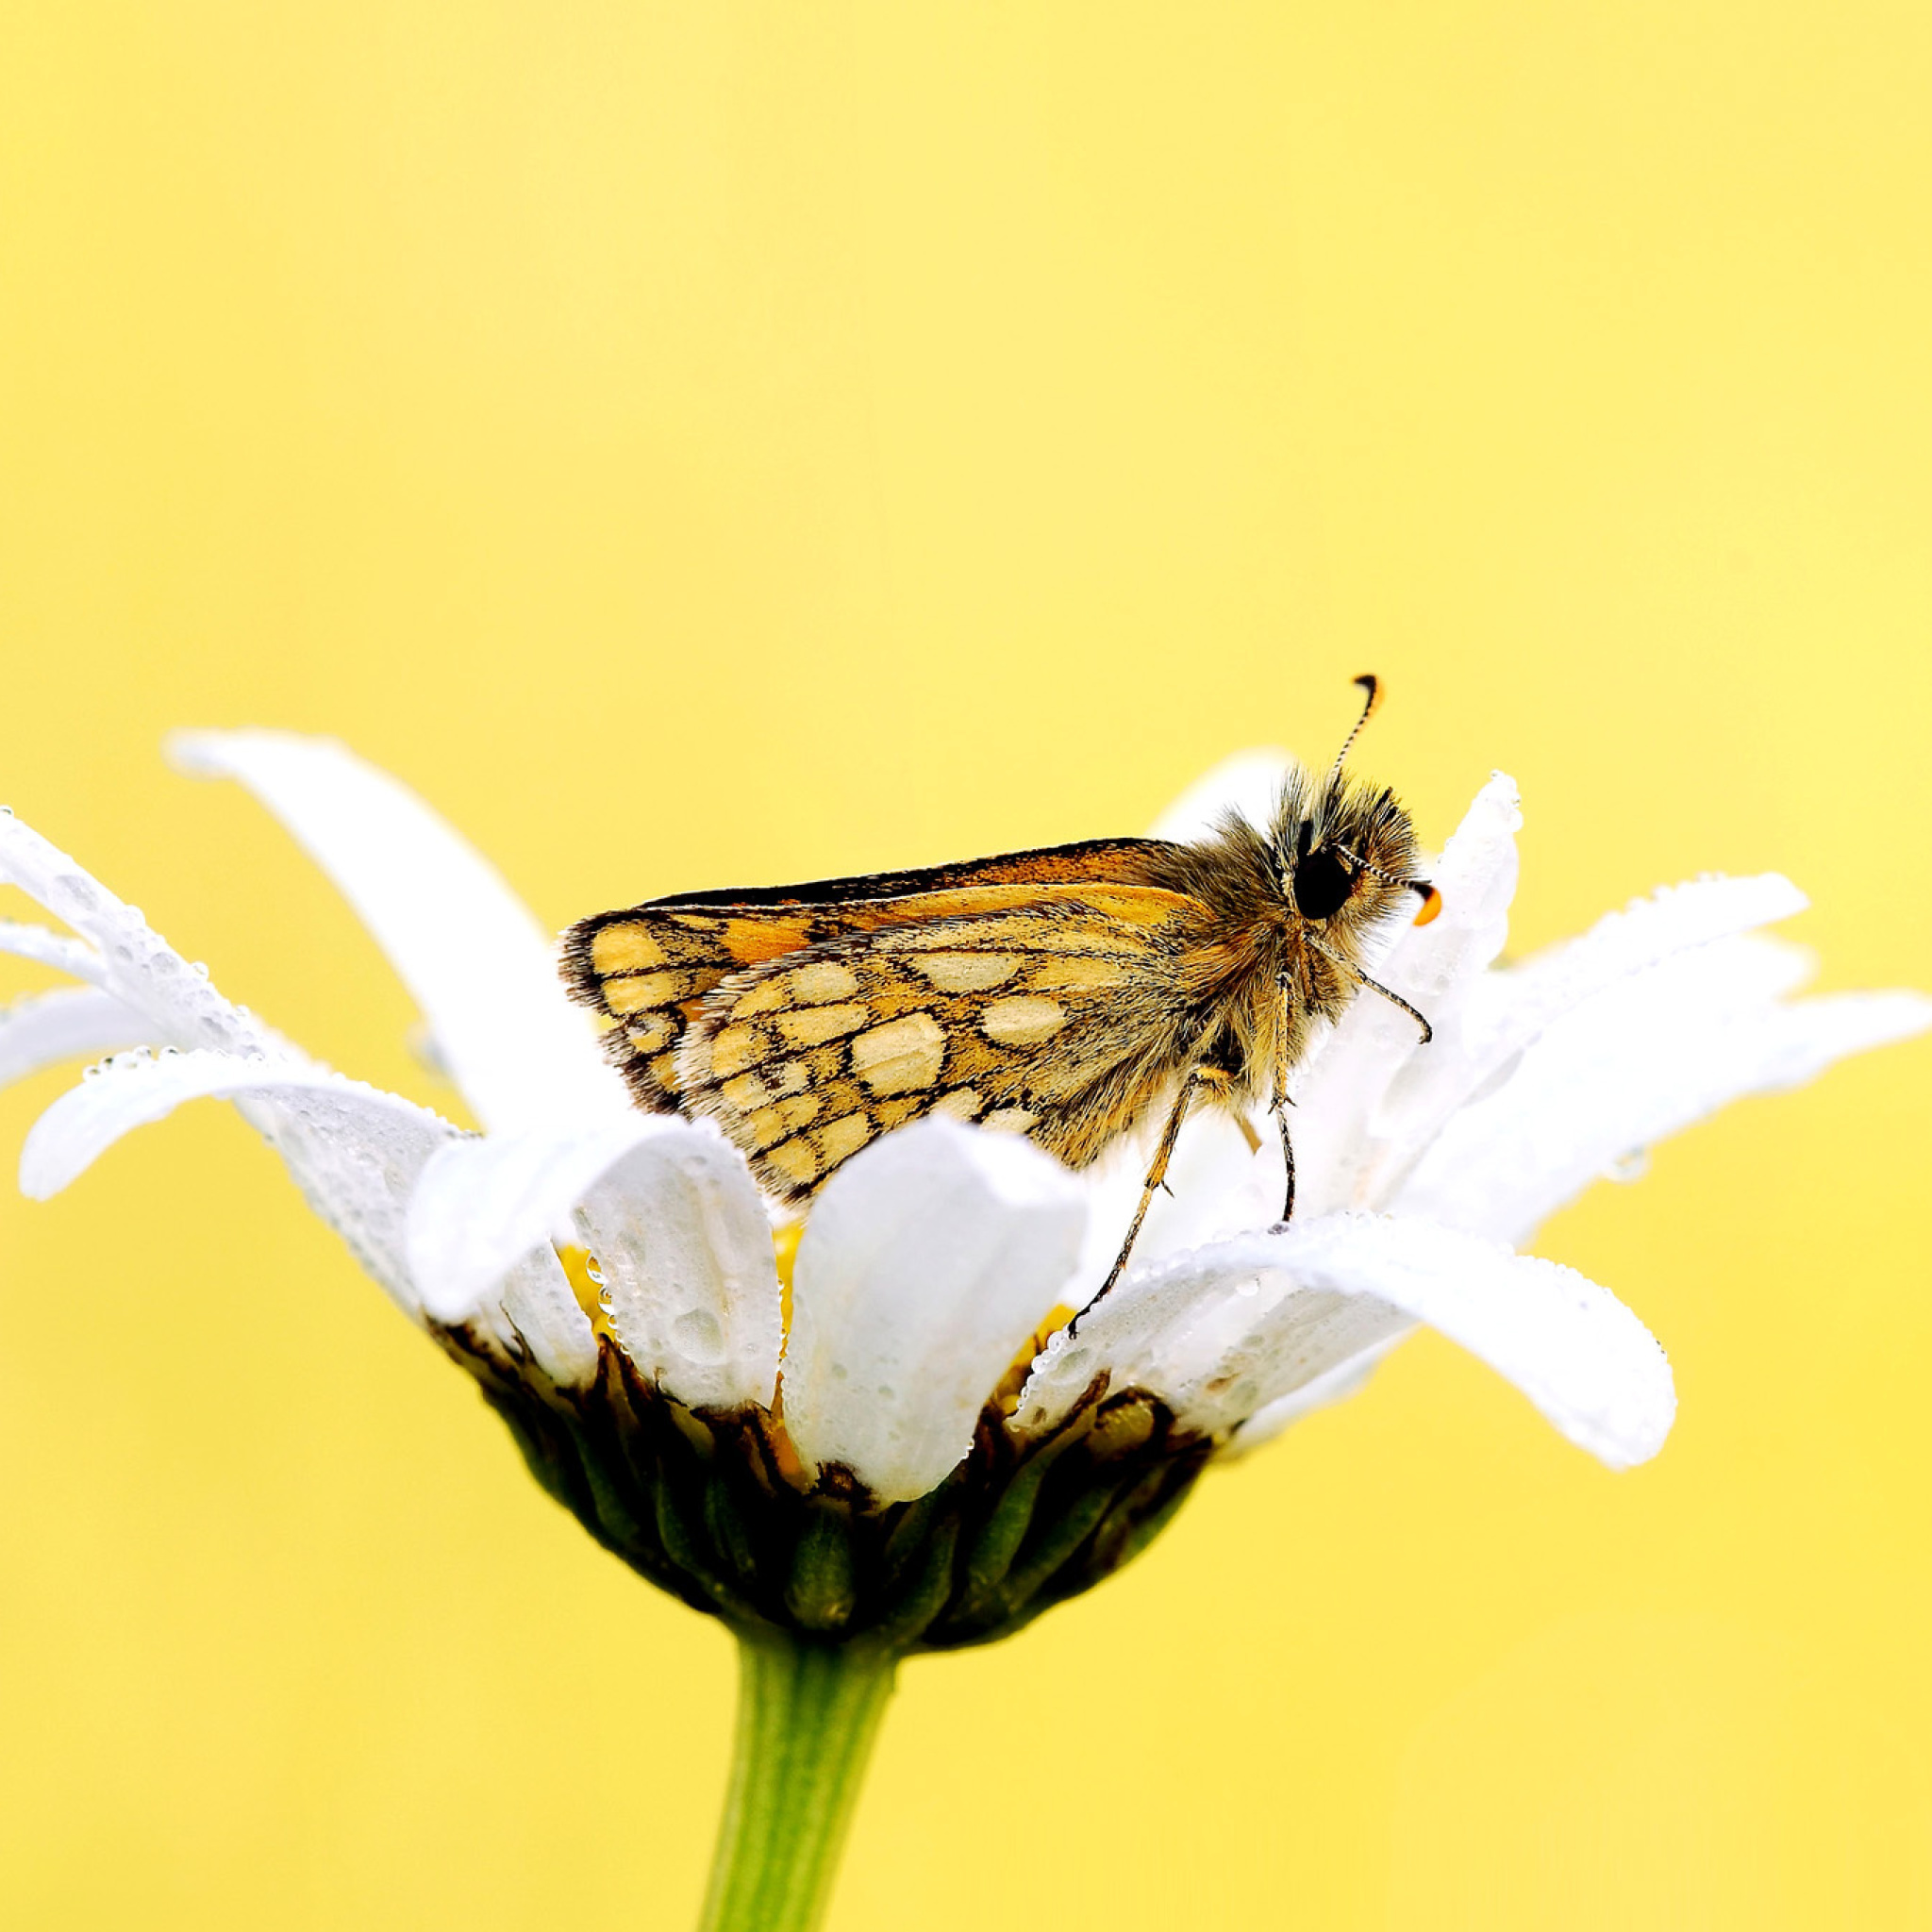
x=353, y=1149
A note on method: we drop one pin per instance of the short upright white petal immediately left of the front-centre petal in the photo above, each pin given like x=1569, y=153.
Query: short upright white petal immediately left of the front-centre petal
x=691, y=1276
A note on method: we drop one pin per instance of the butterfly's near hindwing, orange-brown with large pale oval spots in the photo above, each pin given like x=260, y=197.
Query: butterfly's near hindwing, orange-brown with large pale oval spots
x=1060, y=1015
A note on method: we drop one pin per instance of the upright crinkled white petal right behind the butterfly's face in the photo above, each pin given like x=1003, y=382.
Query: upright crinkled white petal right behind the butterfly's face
x=1346, y=1127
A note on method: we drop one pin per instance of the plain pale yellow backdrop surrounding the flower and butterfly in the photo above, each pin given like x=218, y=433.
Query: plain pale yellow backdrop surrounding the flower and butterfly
x=729, y=443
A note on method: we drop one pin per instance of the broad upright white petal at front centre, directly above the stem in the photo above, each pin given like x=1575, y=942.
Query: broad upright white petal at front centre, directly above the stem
x=926, y=1264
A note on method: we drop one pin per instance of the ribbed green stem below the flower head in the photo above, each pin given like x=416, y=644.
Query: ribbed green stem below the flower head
x=807, y=1719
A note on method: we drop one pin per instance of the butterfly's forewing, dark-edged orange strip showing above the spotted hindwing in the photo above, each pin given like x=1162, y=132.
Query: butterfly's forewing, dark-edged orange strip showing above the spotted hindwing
x=650, y=967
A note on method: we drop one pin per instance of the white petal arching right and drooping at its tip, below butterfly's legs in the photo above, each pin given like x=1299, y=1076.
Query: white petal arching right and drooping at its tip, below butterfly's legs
x=1236, y=1328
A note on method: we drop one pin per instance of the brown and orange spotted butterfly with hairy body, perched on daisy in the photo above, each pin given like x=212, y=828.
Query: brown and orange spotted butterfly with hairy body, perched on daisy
x=1065, y=994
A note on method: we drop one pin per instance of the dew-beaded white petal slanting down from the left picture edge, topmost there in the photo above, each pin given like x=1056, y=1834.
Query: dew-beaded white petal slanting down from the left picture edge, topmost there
x=125, y=955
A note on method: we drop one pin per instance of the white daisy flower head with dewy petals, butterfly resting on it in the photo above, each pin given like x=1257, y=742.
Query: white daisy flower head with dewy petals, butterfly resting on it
x=932, y=1259
